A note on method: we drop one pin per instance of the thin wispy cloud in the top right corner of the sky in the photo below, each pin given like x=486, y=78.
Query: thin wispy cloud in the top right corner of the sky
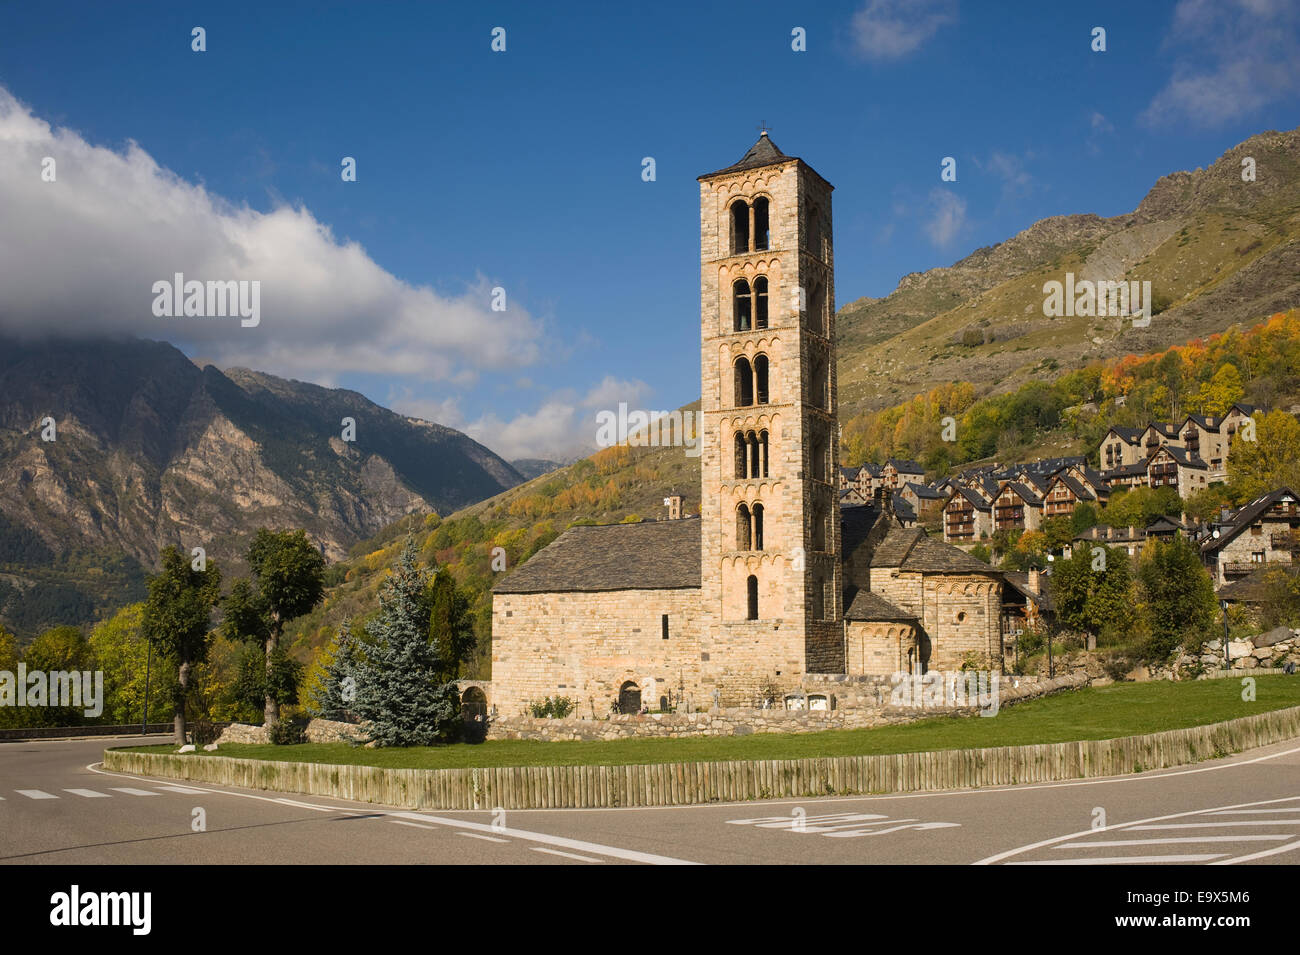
x=1233, y=58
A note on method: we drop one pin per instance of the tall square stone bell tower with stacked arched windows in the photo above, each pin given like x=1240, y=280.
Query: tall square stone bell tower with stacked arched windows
x=770, y=532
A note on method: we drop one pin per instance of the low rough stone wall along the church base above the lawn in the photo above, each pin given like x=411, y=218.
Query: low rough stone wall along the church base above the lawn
x=861, y=704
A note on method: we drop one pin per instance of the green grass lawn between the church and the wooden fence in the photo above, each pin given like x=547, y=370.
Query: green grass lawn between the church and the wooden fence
x=1106, y=713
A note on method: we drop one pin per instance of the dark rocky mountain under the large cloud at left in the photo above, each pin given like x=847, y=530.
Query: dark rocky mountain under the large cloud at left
x=151, y=450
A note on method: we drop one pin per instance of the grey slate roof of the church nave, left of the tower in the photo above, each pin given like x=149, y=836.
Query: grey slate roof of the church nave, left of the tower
x=652, y=555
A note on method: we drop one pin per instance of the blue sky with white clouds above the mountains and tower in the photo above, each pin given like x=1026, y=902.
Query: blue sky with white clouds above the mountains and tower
x=523, y=170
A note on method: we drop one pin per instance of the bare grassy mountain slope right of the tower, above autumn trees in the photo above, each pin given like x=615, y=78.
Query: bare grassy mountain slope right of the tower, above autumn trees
x=1216, y=250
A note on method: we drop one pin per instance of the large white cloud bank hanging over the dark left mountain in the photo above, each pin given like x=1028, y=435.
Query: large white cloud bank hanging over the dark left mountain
x=79, y=257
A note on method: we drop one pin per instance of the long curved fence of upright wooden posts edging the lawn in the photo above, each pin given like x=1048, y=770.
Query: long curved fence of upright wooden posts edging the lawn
x=681, y=784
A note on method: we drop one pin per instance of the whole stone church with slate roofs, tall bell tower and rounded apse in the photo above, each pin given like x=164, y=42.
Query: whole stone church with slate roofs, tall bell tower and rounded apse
x=774, y=580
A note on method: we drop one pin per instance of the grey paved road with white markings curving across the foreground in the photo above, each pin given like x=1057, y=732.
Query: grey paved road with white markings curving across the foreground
x=58, y=808
